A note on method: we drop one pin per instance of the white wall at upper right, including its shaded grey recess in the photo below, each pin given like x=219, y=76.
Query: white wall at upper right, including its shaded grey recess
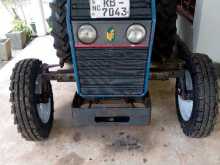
x=204, y=35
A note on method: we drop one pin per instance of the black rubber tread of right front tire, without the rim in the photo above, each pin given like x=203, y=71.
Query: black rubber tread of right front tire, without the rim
x=206, y=98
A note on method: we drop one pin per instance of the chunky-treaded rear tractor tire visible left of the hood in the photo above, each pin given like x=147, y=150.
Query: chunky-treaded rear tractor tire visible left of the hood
x=59, y=30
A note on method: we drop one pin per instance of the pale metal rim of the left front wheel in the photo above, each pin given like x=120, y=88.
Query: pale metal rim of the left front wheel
x=43, y=109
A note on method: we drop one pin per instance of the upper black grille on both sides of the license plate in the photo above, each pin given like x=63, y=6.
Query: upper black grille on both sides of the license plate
x=140, y=9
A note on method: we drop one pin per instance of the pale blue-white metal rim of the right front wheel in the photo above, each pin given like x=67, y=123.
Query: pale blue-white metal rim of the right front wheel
x=186, y=105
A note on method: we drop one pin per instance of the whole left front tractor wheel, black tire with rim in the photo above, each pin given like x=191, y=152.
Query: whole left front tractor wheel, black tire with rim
x=32, y=110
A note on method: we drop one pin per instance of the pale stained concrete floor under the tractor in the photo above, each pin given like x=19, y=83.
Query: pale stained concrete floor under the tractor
x=162, y=142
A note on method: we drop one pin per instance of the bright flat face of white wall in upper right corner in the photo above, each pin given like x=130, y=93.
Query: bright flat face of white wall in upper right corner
x=209, y=33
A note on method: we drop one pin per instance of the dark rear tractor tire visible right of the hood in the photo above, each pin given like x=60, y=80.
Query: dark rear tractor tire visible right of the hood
x=165, y=29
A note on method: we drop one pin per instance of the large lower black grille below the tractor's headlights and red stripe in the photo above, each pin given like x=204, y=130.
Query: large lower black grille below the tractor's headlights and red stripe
x=111, y=71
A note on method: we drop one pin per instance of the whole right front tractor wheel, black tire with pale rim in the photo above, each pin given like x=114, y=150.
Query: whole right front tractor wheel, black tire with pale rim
x=197, y=114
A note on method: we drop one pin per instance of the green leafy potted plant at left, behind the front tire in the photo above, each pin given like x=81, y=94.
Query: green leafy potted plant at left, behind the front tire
x=21, y=26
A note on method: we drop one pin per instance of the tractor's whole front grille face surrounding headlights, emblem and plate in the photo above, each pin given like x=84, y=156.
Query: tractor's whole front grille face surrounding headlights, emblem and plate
x=111, y=71
